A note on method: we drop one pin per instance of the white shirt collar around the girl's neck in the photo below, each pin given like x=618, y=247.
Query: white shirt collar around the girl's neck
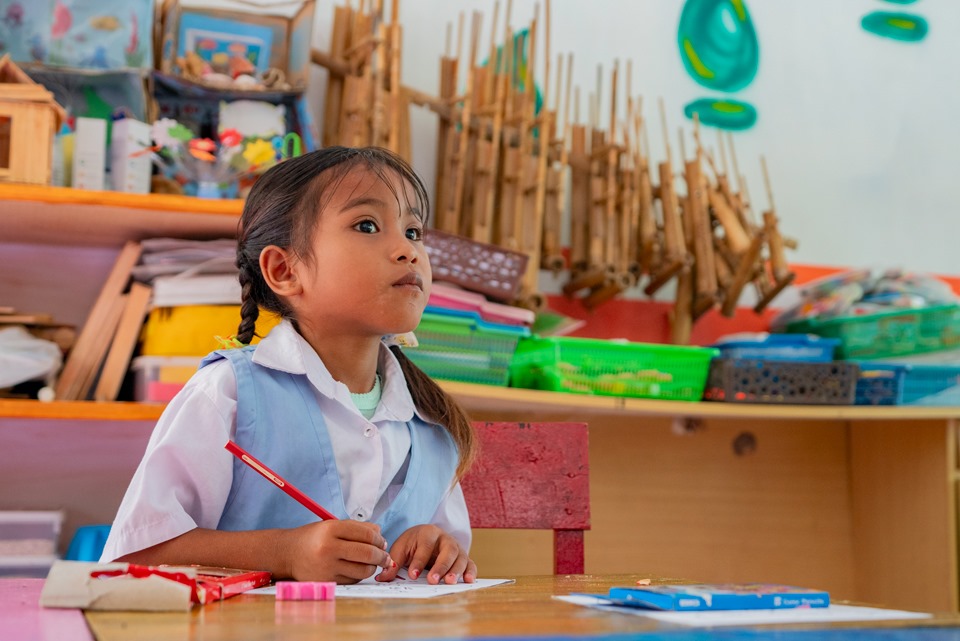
x=283, y=349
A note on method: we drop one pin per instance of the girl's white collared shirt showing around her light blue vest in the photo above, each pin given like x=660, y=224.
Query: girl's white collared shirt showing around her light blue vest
x=185, y=476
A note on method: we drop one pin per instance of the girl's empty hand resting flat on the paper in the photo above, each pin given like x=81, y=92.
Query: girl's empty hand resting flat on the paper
x=427, y=546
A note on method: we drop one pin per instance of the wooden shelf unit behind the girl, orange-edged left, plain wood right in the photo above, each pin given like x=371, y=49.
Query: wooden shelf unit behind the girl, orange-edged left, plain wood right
x=861, y=501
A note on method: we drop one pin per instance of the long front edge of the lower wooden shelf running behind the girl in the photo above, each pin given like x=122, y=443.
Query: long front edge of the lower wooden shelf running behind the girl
x=526, y=403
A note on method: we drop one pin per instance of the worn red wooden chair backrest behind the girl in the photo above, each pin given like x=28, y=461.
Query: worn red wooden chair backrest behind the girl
x=533, y=476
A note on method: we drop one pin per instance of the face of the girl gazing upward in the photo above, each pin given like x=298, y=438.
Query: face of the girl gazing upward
x=369, y=273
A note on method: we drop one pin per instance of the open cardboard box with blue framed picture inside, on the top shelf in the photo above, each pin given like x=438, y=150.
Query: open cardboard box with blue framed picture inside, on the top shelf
x=276, y=37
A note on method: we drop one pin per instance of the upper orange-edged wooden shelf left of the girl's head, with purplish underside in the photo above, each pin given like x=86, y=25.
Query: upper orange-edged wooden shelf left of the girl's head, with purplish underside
x=62, y=216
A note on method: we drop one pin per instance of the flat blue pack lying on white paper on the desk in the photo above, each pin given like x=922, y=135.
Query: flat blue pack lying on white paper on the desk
x=719, y=596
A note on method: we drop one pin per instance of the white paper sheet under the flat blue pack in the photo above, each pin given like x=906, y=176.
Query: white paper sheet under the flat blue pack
x=707, y=618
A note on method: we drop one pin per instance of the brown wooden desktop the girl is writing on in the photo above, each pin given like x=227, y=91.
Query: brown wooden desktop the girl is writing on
x=521, y=609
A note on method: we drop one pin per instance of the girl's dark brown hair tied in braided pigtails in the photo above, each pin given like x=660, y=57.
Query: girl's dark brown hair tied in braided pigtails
x=282, y=209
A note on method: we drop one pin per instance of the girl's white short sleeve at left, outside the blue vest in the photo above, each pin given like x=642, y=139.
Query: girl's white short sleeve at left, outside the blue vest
x=184, y=478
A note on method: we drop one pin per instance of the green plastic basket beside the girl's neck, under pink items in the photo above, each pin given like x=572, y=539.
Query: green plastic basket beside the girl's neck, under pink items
x=464, y=349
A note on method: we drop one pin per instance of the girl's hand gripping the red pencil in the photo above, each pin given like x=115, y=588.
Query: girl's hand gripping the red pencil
x=342, y=551
